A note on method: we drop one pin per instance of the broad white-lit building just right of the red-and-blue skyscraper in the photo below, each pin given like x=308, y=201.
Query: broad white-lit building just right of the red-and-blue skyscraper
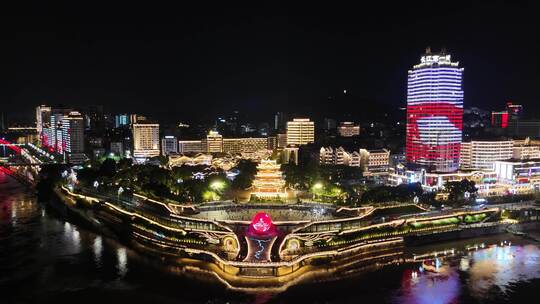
x=480, y=155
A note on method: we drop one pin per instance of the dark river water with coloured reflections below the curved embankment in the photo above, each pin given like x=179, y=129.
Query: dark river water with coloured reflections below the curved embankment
x=44, y=259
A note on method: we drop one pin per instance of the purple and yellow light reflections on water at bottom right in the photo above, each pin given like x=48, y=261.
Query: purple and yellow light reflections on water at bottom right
x=493, y=267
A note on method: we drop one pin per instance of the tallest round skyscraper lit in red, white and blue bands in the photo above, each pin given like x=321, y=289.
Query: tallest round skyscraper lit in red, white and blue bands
x=435, y=113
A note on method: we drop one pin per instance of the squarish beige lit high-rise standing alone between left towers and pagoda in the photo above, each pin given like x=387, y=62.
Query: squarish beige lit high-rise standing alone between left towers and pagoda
x=145, y=140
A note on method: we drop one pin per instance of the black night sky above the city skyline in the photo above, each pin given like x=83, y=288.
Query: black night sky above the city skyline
x=177, y=63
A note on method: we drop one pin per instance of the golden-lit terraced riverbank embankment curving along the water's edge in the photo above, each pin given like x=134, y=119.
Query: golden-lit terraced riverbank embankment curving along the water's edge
x=271, y=277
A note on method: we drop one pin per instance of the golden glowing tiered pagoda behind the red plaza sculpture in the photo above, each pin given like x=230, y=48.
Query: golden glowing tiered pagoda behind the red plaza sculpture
x=269, y=182
